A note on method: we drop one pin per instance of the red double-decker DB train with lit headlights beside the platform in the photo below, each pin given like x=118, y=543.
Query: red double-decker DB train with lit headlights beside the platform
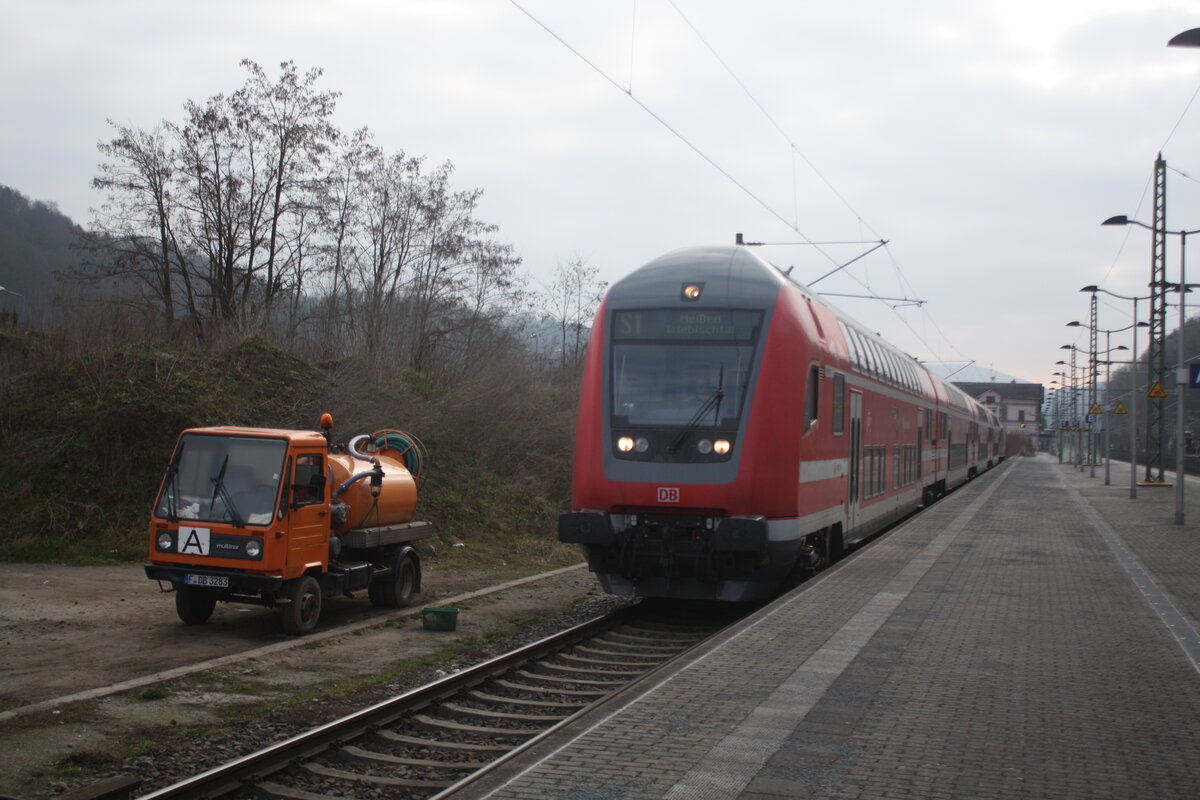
x=737, y=435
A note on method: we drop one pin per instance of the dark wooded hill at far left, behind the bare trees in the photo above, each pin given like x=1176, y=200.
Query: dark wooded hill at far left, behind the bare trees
x=35, y=244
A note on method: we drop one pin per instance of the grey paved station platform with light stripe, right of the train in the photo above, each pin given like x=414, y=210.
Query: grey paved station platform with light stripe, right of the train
x=1034, y=635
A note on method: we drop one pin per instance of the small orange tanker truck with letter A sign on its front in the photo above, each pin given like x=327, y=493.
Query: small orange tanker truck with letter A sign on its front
x=286, y=519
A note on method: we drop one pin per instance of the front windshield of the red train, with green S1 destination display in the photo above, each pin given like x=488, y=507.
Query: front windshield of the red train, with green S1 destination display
x=671, y=371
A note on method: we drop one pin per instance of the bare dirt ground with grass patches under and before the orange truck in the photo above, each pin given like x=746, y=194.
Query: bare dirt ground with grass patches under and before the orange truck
x=95, y=660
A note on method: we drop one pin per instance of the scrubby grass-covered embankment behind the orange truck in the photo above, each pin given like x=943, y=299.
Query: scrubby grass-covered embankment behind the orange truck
x=83, y=442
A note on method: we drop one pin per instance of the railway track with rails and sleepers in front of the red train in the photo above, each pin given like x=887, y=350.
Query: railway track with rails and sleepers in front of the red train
x=421, y=744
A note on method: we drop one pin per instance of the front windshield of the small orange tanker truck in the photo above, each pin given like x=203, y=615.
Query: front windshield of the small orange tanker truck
x=224, y=480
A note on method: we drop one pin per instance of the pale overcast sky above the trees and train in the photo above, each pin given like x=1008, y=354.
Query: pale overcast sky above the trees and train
x=985, y=141
